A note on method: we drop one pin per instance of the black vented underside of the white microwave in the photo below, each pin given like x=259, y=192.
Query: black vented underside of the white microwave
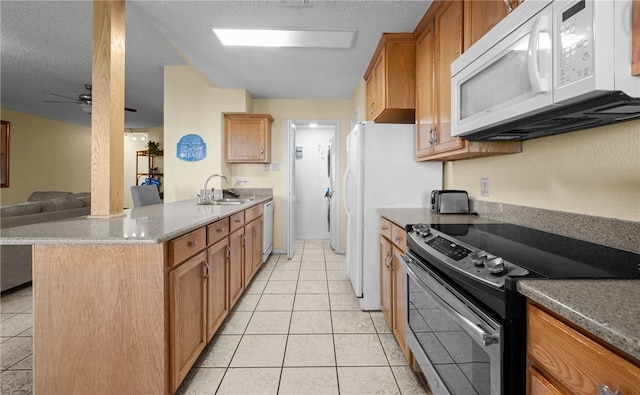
x=604, y=110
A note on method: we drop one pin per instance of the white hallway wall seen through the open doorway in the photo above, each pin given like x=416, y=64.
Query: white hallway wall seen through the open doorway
x=312, y=181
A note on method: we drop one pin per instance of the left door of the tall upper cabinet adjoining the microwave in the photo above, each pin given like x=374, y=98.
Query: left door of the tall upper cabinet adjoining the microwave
x=425, y=93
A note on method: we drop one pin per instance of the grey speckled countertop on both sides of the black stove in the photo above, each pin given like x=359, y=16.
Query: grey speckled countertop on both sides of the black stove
x=608, y=309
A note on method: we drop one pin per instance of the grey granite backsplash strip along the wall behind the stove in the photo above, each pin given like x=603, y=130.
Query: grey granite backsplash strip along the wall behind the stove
x=611, y=232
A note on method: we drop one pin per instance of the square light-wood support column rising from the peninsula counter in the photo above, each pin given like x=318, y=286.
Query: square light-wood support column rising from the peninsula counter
x=107, y=109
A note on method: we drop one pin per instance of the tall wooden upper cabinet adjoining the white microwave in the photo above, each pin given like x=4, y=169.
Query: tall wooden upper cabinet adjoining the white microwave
x=440, y=38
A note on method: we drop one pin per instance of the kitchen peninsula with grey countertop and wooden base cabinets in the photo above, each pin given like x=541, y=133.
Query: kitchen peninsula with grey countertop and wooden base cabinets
x=126, y=304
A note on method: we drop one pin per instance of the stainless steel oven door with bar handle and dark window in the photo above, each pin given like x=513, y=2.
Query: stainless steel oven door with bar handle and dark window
x=466, y=361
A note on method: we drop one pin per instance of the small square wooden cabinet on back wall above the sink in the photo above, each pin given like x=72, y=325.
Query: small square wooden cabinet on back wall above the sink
x=248, y=137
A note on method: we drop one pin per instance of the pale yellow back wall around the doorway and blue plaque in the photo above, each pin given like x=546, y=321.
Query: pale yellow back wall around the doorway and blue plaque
x=193, y=105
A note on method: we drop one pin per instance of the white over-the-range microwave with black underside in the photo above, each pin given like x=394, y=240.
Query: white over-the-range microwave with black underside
x=549, y=67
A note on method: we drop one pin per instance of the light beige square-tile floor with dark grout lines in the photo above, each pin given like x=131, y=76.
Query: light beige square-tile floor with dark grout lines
x=298, y=329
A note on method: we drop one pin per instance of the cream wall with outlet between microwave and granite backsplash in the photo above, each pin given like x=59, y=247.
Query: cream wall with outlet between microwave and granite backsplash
x=594, y=172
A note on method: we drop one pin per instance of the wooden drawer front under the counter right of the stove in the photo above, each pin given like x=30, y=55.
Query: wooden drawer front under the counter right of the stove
x=575, y=361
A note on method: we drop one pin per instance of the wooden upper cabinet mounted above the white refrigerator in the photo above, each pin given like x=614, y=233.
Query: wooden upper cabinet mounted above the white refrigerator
x=390, y=79
